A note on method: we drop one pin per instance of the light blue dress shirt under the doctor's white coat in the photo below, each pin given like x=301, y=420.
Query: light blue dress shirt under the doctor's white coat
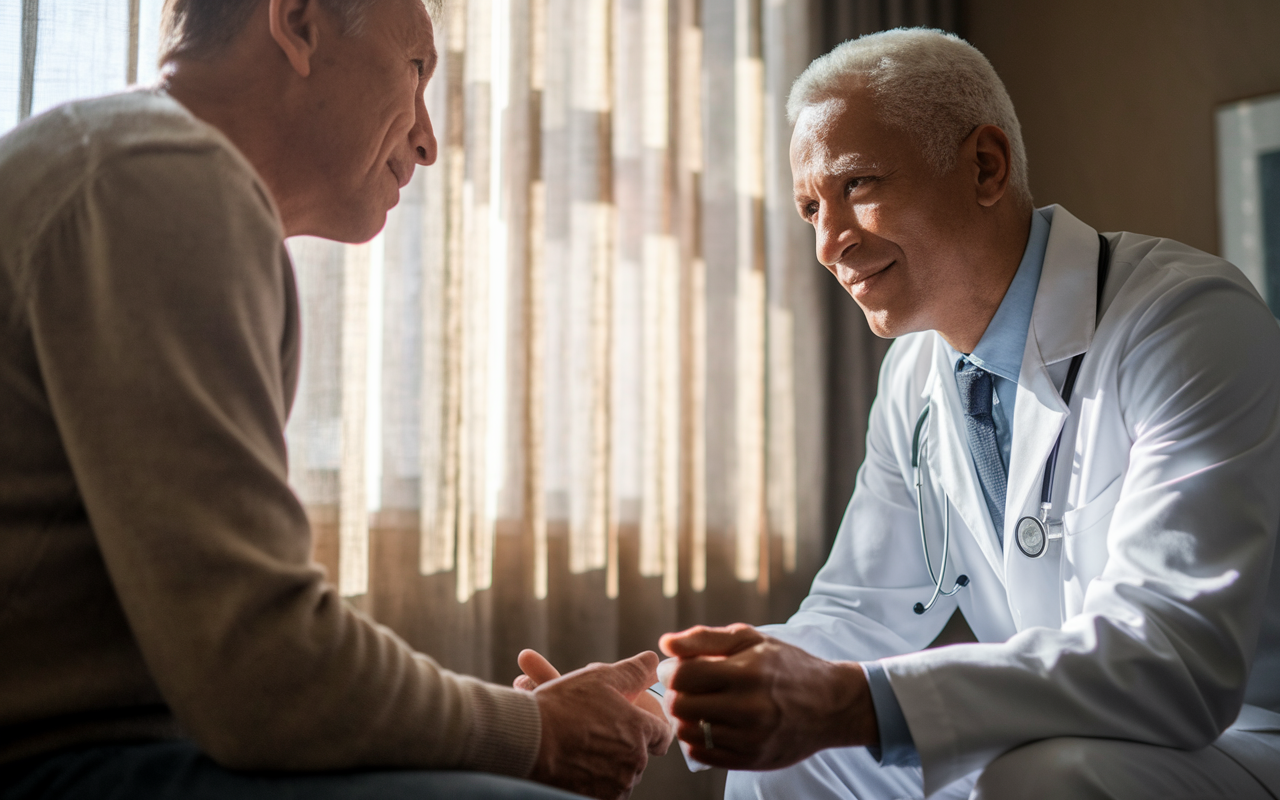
x=1000, y=353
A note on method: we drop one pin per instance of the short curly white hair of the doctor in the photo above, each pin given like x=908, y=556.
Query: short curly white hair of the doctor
x=930, y=84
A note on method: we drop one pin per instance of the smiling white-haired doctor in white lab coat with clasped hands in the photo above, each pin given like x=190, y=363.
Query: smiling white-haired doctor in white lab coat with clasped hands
x=1139, y=655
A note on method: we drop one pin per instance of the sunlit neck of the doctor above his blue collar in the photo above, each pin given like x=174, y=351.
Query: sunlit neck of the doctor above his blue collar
x=996, y=264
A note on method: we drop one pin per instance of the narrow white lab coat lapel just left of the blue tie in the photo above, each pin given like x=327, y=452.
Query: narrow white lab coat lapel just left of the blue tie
x=949, y=459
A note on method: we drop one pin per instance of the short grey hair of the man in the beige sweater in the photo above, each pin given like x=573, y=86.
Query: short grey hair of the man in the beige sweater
x=200, y=29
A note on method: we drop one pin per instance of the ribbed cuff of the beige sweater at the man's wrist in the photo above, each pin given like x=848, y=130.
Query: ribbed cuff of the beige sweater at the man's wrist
x=506, y=729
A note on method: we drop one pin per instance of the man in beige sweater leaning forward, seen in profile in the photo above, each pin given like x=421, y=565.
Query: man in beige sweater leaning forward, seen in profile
x=162, y=625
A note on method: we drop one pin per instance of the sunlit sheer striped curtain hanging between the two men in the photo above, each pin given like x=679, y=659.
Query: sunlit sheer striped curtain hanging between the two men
x=556, y=403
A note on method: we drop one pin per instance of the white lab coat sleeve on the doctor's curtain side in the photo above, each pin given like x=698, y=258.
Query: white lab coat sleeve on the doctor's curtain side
x=860, y=607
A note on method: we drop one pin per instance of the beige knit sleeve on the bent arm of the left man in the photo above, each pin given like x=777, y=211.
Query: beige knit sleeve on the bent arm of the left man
x=161, y=301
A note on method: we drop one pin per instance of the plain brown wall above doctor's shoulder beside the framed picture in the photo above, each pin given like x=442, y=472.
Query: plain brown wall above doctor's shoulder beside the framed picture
x=1117, y=100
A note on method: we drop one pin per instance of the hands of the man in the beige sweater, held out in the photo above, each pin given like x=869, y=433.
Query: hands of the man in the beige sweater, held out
x=595, y=740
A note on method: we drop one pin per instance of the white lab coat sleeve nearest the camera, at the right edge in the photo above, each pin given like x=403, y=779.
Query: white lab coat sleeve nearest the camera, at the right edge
x=1162, y=651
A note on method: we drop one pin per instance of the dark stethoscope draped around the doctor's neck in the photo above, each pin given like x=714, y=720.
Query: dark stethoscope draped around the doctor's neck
x=1032, y=533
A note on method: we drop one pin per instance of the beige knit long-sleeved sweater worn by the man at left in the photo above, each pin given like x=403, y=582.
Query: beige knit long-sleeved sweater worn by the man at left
x=154, y=564
